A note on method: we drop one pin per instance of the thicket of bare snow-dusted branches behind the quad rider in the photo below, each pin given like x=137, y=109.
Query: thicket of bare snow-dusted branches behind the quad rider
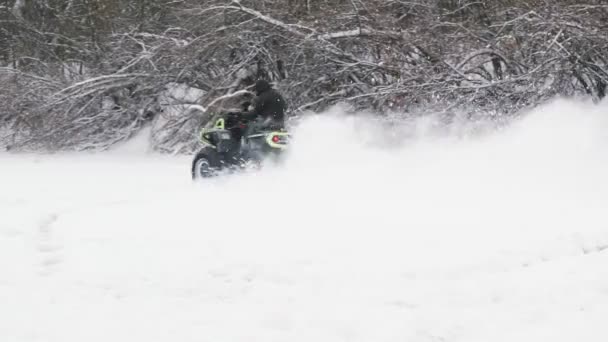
x=79, y=74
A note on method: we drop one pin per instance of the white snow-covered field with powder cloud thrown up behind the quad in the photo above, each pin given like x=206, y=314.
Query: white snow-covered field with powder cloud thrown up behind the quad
x=498, y=237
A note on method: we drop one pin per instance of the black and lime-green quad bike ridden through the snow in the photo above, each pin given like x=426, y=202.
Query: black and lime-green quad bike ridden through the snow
x=228, y=148
